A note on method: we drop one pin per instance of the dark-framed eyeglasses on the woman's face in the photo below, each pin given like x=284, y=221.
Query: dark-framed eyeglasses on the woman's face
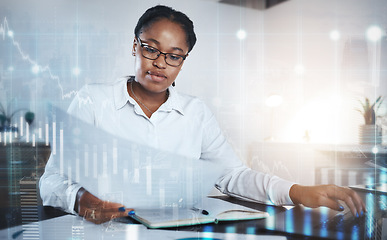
x=152, y=53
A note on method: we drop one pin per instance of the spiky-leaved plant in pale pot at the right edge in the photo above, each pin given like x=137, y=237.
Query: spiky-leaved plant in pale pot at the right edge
x=370, y=132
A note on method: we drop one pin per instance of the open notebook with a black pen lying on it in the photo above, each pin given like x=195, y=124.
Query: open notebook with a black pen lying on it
x=210, y=210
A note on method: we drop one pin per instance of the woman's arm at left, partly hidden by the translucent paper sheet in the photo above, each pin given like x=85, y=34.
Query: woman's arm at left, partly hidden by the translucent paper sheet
x=58, y=191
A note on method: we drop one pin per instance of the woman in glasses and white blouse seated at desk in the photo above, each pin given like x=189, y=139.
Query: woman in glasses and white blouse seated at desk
x=147, y=109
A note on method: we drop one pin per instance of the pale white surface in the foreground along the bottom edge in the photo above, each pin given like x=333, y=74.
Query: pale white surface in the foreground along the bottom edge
x=75, y=228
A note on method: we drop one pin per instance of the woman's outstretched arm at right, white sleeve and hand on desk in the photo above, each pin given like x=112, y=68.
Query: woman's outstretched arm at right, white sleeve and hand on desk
x=241, y=181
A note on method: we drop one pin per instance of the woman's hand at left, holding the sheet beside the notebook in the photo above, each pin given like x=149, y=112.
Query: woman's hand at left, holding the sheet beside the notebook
x=97, y=211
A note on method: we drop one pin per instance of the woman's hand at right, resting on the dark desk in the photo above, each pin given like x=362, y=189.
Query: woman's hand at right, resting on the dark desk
x=328, y=196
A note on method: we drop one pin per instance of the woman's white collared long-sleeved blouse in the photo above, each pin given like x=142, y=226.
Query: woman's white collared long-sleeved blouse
x=183, y=125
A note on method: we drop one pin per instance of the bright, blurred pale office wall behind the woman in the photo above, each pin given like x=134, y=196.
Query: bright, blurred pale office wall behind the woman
x=314, y=54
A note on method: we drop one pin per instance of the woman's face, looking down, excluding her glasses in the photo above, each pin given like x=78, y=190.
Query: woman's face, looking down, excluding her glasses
x=168, y=37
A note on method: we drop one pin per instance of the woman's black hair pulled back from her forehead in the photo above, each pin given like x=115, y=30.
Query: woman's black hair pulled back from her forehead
x=159, y=12
